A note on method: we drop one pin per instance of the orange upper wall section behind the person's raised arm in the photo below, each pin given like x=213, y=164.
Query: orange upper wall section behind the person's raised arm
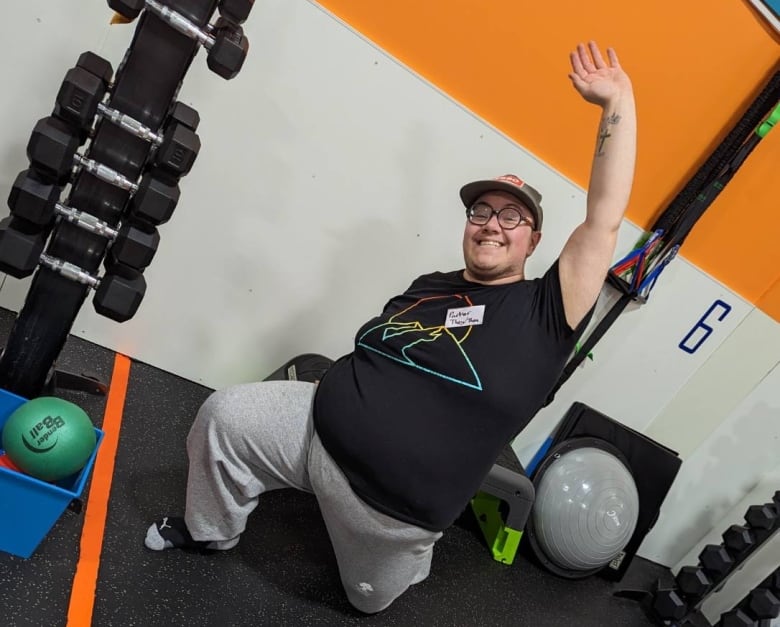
x=696, y=66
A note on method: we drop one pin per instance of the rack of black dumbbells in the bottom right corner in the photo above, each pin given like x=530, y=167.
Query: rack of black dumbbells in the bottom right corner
x=678, y=604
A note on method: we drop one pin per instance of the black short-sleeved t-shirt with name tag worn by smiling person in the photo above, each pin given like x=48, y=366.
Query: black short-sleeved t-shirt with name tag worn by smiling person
x=437, y=385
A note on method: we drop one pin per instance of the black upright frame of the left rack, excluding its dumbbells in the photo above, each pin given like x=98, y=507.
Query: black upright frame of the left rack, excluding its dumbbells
x=166, y=39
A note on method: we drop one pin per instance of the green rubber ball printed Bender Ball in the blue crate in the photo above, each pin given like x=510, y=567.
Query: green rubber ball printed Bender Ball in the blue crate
x=49, y=438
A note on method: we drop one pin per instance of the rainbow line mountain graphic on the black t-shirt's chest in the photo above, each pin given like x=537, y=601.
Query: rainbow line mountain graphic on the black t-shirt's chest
x=427, y=346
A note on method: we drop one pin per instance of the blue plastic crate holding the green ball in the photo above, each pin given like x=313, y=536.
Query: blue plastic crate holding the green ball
x=30, y=506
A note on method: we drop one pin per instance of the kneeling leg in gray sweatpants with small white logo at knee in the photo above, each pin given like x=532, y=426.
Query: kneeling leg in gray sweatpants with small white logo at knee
x=379, y=557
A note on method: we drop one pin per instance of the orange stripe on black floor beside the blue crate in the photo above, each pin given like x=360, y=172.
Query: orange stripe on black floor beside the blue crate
x=82, y=596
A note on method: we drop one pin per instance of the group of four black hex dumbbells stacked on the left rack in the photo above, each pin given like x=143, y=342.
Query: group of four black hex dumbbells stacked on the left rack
x=54, y=161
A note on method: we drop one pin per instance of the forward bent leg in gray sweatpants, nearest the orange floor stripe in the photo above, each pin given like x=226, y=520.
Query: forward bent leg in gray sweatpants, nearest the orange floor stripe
x=246, y=440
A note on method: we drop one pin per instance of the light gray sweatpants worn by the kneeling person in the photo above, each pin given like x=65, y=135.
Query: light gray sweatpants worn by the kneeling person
x=256, y=437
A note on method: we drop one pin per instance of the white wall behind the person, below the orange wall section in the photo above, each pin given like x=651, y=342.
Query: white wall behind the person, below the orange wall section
x=327, y=181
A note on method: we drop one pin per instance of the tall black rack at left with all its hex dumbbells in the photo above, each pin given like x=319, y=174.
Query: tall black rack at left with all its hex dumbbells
x=104, y=175
